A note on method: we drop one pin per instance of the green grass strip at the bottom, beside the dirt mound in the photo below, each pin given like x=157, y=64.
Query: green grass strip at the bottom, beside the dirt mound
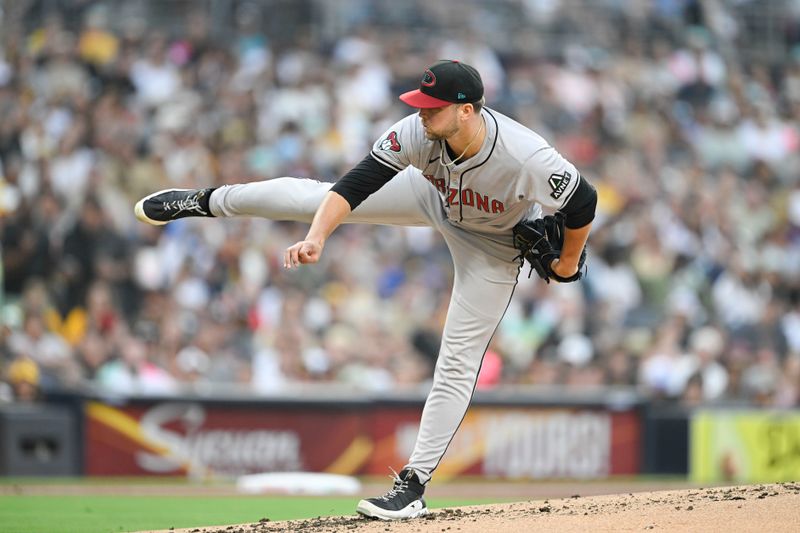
x=107, y=514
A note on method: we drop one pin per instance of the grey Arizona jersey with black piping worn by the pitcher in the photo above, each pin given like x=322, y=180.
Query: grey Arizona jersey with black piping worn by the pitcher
x=515, y=174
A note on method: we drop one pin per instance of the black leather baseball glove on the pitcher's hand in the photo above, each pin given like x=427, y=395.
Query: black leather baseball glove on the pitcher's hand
x=540, y=242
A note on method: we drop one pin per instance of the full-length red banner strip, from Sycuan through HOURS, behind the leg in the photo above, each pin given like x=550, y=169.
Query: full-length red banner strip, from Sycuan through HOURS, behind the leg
x=196, y=439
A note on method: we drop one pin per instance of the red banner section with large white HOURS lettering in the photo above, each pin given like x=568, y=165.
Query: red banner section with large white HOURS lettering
x=532, y=443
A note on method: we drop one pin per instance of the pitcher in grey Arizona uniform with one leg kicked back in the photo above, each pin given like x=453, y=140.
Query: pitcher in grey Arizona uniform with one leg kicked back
x=479, y=178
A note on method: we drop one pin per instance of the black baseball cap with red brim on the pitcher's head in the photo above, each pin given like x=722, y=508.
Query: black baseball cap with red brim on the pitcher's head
x=446, y=82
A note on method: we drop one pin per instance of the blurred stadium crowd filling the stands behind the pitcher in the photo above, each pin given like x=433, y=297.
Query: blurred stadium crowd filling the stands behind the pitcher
x=692, y=292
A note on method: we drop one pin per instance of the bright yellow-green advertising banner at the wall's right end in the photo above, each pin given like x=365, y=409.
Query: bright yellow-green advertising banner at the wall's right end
x=745, y=446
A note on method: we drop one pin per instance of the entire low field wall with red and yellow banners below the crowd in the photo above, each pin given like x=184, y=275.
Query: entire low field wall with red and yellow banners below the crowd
x=508, y=434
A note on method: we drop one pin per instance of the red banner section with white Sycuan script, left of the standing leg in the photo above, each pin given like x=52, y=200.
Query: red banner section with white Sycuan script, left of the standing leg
x=187, y=438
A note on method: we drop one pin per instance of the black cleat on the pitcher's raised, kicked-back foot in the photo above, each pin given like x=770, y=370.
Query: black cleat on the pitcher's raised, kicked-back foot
x=171, y=204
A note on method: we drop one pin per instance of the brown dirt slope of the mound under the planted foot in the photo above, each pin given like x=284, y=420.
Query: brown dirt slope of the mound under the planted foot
x=773, y=507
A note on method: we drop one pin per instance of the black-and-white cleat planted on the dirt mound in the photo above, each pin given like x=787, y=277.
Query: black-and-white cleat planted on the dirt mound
x=402, y=502
